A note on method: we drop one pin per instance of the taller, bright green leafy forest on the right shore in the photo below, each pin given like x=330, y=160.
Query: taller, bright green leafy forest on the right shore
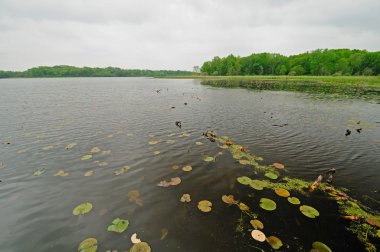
x=318, y=62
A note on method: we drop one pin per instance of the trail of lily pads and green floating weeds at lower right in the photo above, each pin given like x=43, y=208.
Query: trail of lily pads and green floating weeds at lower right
x=363, y=222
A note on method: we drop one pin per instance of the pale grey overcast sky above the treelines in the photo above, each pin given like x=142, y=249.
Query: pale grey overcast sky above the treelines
x=176, y=34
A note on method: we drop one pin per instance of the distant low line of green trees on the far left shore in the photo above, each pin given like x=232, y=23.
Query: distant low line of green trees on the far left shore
x=70, y=71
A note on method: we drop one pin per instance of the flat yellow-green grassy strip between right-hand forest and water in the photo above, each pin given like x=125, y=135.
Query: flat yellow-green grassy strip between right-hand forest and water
x=353, y=81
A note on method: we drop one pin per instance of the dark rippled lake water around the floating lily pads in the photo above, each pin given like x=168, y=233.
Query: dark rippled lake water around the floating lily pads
x=40, y=117
